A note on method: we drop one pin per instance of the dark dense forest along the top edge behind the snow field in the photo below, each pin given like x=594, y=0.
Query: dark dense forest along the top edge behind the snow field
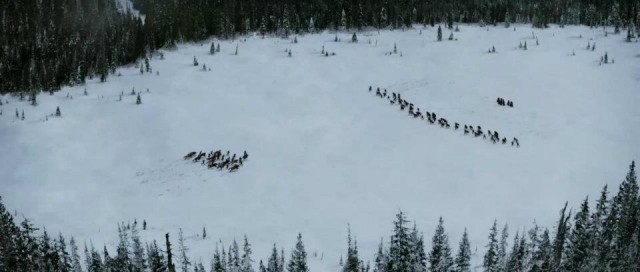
x=46, y=44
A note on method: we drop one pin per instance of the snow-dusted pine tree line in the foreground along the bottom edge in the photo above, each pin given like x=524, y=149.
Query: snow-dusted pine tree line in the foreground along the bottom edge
x=604, y=238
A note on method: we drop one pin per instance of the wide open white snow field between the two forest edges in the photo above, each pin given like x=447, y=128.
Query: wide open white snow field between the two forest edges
x=324, y=152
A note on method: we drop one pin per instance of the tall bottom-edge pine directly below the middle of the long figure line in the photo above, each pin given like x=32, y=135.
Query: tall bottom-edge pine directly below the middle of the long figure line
x=440, y=259
